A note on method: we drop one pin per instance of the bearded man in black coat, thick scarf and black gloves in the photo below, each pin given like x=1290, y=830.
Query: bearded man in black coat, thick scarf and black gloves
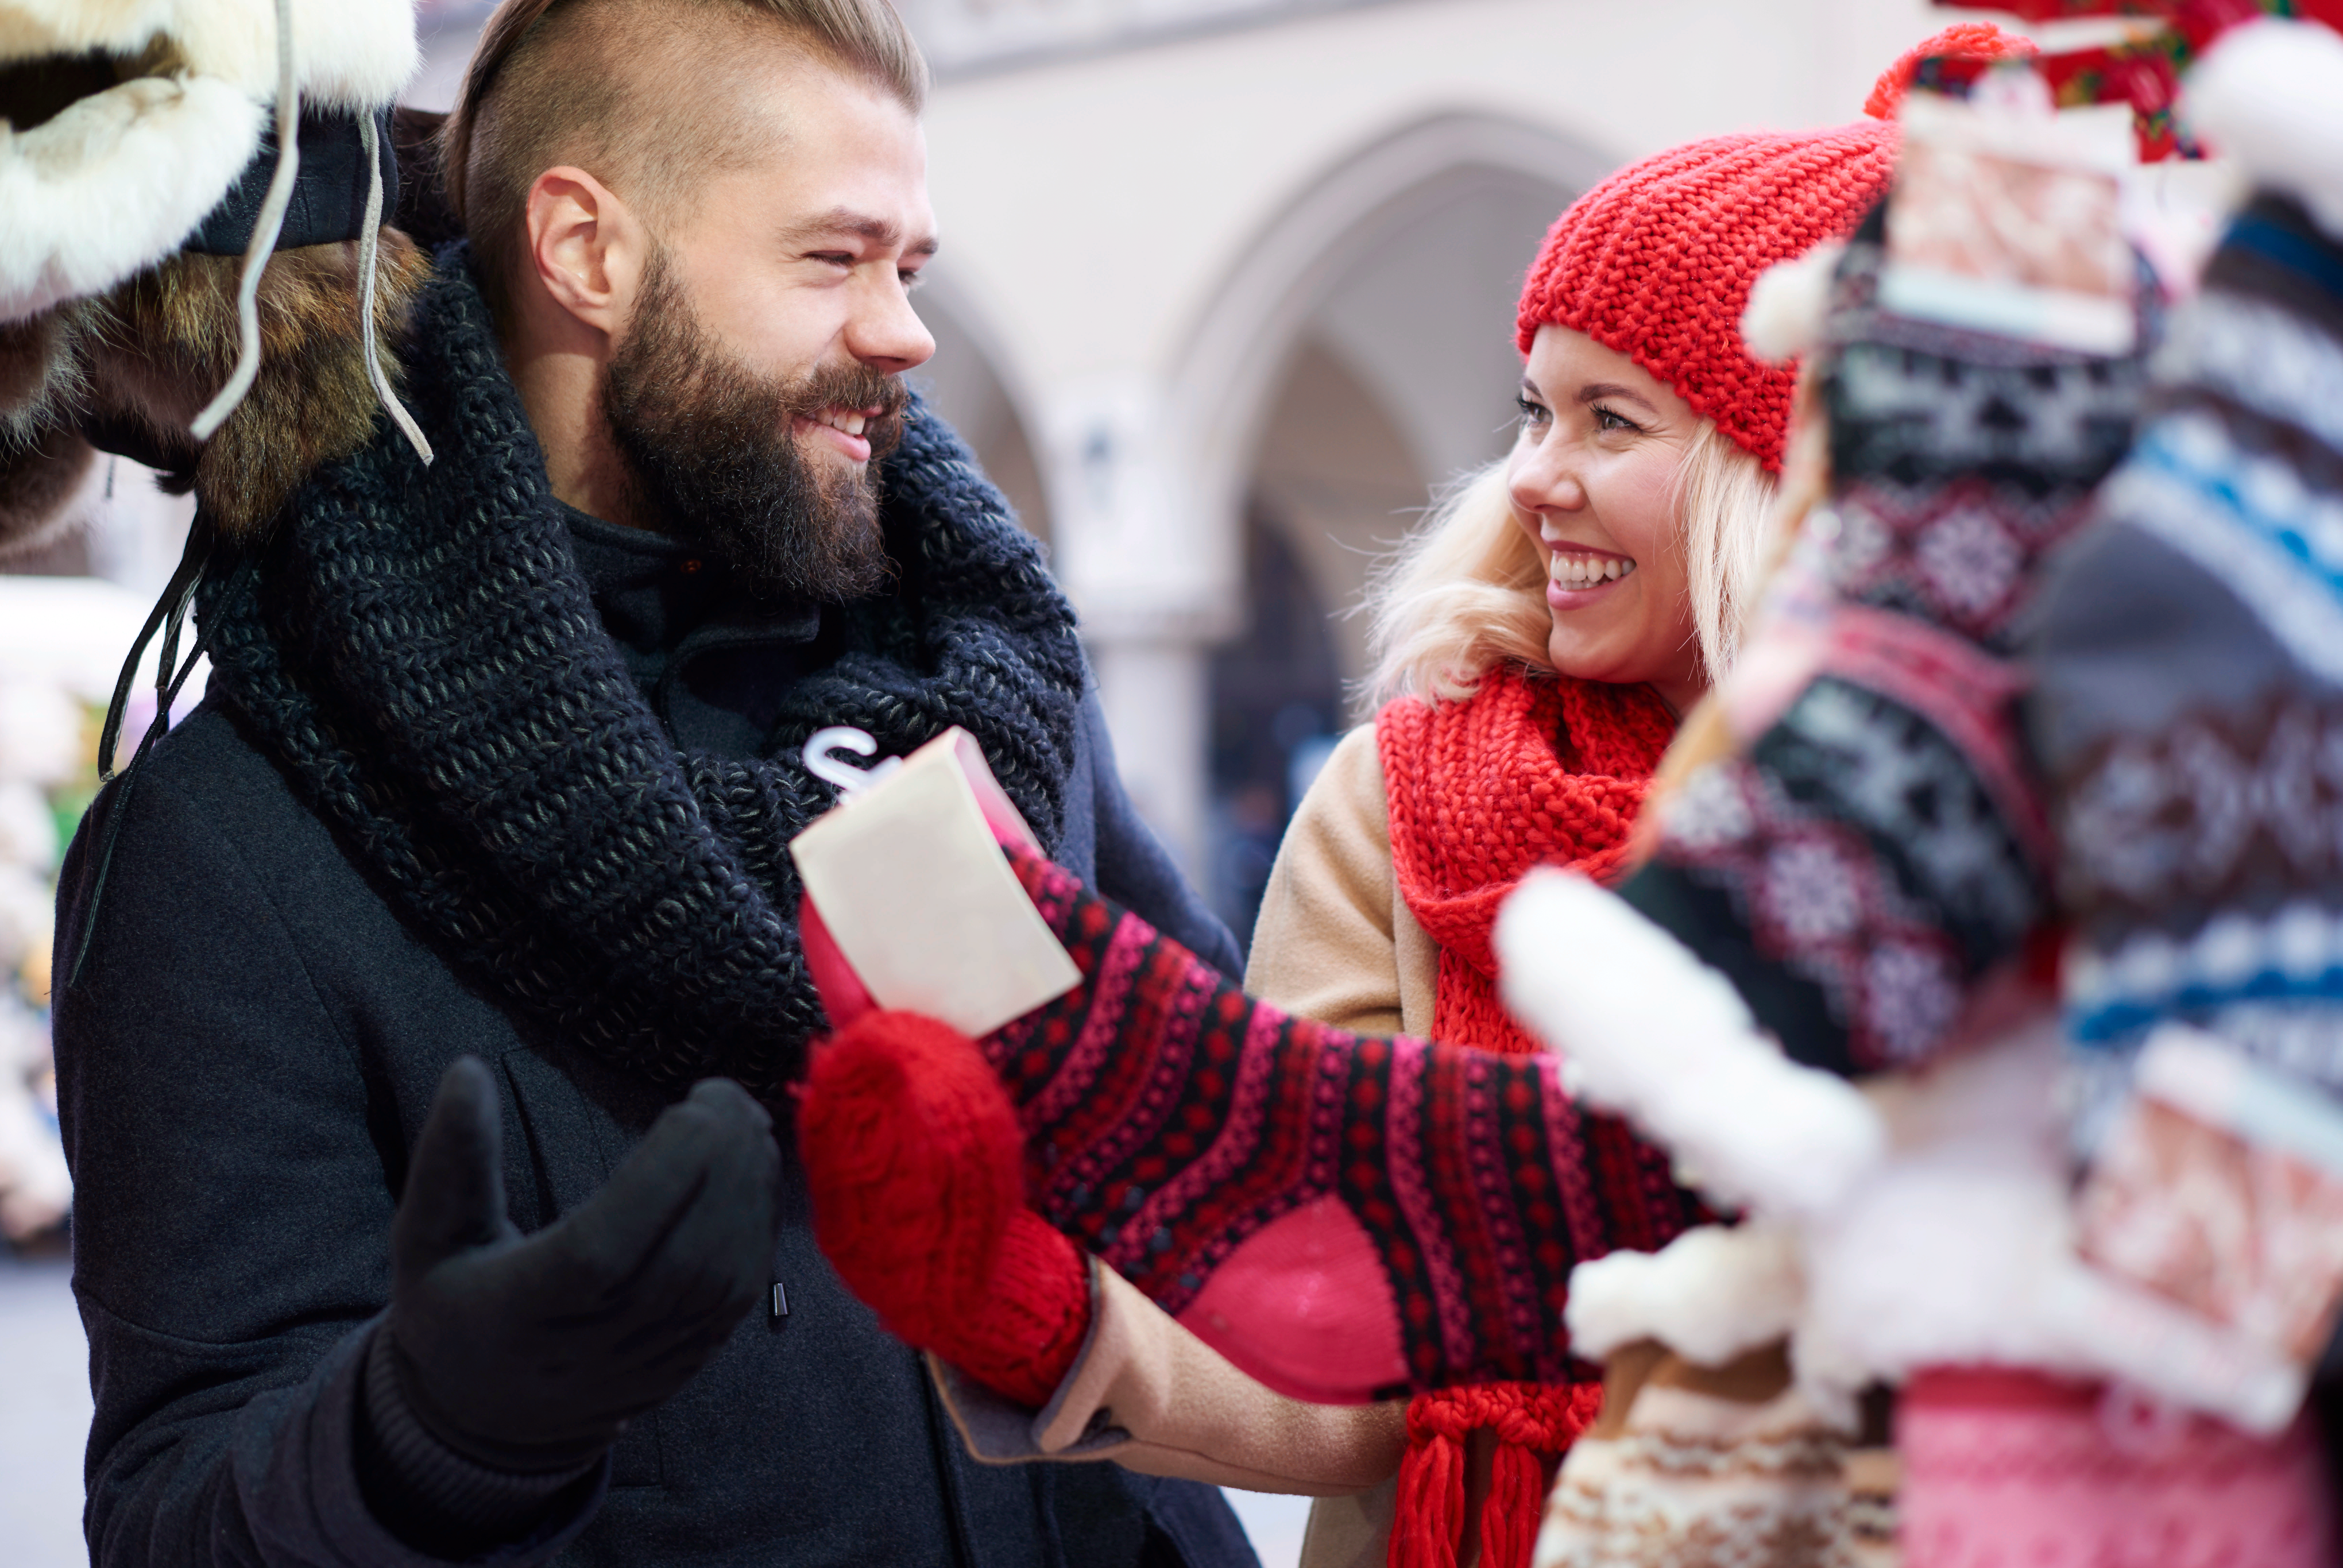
x=428, y=1004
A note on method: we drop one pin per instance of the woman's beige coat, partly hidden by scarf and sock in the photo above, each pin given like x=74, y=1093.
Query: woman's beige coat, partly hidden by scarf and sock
x=1339, y=946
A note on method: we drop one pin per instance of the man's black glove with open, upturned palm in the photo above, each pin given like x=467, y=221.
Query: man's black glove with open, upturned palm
x=531, y=1356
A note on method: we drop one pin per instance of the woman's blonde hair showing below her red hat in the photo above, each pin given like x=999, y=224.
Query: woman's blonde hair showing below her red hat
x=1468, y=589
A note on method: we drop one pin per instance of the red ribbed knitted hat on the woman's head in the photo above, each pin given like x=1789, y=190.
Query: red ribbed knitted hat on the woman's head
x=1658, y=261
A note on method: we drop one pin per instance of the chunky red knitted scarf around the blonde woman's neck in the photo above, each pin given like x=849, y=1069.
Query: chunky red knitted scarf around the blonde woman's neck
x=1526, y=772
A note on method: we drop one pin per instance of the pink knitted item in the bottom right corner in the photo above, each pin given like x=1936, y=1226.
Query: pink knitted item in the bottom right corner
x=2011, y=1468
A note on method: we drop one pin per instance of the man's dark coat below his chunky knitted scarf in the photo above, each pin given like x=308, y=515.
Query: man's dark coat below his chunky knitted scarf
x=245, y=1061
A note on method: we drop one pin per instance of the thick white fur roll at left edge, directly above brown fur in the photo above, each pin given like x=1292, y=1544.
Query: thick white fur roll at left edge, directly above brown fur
x=114, y=184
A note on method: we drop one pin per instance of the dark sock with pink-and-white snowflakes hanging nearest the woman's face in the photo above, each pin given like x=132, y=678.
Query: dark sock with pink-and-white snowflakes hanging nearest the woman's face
x=1880, y=845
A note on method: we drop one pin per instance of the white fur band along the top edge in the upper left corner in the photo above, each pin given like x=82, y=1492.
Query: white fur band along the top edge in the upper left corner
x=346, y=53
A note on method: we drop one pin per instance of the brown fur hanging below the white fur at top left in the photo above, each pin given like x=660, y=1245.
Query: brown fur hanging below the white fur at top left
x=153, y=350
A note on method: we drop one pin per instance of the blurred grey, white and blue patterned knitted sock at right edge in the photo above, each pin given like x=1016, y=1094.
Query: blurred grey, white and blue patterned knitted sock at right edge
x=2192, y=683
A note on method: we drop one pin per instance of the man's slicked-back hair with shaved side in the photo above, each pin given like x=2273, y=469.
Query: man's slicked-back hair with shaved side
x=645, y=95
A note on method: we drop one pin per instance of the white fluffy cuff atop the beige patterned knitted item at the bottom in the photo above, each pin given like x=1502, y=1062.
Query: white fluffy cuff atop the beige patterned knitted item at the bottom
x=1709, y=1295
